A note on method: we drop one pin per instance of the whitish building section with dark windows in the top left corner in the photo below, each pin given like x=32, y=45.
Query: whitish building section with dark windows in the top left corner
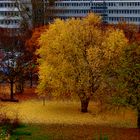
x=12, y=12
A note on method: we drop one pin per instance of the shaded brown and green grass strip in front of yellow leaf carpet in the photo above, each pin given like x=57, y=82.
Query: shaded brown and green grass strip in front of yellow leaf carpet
x=73, y=132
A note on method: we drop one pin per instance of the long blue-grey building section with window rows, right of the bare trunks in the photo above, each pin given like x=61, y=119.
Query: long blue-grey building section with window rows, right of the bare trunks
x=112, y=11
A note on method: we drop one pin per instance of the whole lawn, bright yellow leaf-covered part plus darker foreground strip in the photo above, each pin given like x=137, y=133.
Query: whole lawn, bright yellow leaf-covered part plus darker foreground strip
x=64, y=121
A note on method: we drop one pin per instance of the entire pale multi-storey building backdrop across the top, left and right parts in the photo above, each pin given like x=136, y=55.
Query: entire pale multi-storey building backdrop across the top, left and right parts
x=12, y=12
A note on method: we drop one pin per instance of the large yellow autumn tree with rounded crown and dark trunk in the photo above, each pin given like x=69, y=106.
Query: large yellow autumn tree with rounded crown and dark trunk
x=73, y=54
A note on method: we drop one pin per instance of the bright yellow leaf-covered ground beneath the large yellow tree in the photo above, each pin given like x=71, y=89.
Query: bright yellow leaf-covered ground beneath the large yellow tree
x=33, y=111
